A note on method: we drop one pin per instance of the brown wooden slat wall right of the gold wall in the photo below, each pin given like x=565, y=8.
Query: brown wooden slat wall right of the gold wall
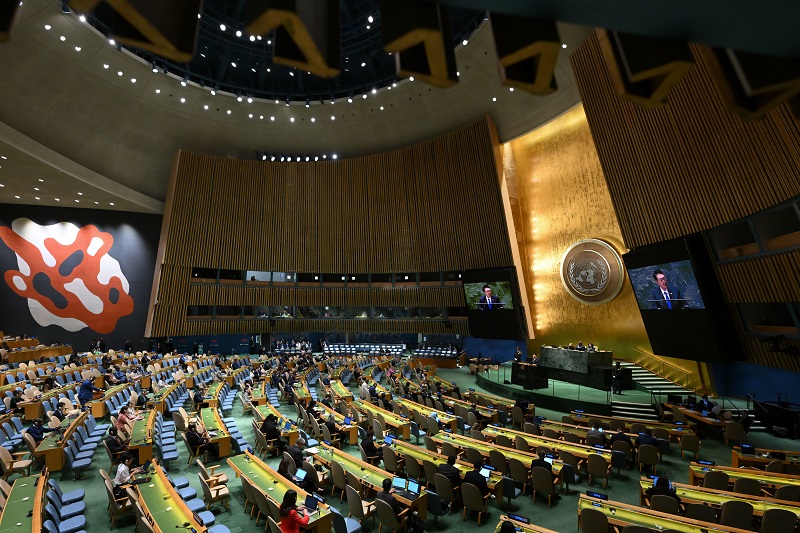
x=692, y=165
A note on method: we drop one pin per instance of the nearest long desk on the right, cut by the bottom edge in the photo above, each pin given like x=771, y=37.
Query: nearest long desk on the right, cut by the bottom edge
x=622, y=514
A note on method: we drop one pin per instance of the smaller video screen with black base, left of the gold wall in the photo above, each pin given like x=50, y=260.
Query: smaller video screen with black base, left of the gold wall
x=492, y=298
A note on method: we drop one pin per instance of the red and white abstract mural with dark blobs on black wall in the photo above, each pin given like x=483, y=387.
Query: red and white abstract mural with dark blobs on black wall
x=67, y=275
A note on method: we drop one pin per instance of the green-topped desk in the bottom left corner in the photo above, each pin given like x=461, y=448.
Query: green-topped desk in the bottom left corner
x=25, y=506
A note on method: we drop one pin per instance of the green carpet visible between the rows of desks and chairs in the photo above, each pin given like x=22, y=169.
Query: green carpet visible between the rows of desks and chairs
x=561, y=517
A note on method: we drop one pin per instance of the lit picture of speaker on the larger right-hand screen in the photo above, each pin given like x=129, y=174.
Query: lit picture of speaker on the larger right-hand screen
x=666, y=286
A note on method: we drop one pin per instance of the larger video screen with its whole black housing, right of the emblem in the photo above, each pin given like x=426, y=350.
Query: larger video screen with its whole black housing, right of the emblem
x=681, y=302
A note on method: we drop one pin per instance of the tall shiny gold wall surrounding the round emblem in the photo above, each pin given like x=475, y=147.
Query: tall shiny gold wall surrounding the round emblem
x=562, y=197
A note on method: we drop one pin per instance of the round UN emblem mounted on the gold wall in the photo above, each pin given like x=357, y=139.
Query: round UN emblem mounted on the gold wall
x=591, y=271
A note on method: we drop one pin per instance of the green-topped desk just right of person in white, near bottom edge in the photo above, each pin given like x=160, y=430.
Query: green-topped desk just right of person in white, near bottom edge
x=164, y=506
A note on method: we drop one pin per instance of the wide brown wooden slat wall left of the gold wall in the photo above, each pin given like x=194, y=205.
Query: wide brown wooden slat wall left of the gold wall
x=434, y=206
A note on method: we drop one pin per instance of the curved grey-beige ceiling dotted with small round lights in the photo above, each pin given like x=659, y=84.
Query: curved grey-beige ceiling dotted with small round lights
x=70, y=92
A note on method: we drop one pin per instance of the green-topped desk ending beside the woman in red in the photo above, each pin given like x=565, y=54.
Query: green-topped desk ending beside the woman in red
x=275, y=486
